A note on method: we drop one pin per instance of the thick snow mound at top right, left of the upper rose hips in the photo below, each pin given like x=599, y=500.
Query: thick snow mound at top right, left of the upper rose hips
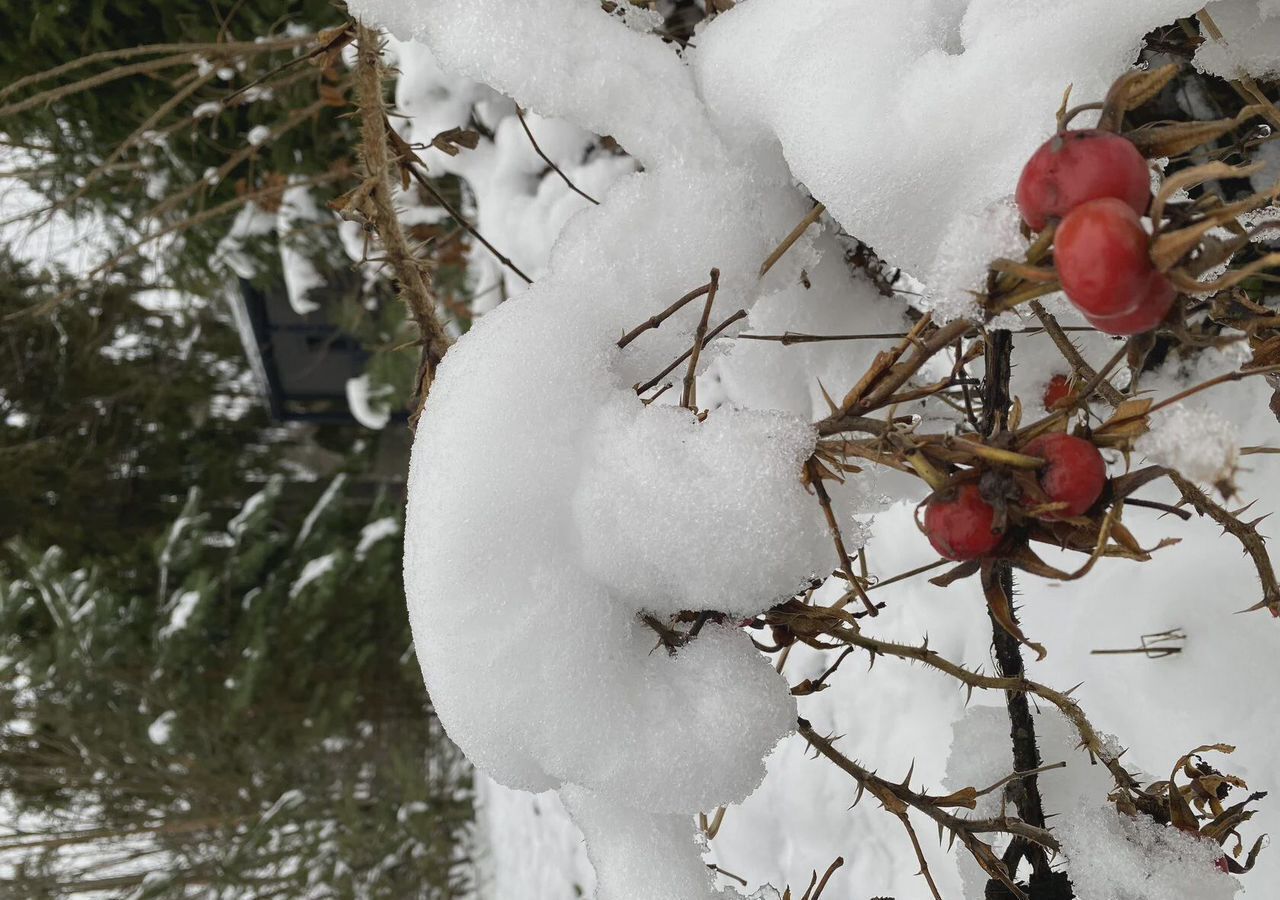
x=903, y=116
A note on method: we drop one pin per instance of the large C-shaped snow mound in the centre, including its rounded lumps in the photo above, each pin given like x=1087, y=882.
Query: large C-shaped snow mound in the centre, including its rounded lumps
x=500, y=552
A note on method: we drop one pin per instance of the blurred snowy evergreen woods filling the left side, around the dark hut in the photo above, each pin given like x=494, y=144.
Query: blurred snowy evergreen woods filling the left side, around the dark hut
x=207, y=677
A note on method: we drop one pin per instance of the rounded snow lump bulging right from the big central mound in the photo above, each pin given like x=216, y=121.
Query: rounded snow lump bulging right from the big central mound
x=659, y=491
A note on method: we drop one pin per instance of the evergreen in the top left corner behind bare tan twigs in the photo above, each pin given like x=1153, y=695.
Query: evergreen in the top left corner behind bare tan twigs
x=152, y=126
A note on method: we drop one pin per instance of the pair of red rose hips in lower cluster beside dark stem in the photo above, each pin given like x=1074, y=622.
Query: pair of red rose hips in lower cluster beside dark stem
x=962, y=524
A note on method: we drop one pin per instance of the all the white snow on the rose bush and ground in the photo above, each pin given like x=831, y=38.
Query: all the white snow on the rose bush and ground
x=550, y=508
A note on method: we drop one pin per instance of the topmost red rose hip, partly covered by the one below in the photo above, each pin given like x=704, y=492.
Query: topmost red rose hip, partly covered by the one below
x=1073, y=168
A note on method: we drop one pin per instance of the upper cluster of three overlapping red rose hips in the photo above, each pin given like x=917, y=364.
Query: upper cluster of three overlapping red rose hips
x=1098, y=188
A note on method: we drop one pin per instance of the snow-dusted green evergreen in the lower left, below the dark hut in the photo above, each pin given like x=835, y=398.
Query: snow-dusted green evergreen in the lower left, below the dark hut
x=259, y=732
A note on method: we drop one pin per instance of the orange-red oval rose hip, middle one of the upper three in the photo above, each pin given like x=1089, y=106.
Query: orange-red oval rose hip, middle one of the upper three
x=1103, y=258
